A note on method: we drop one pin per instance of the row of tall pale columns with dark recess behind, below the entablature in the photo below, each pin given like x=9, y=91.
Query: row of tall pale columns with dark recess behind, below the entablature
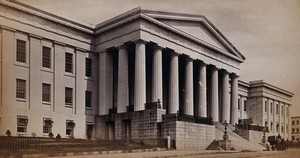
x=187, y=87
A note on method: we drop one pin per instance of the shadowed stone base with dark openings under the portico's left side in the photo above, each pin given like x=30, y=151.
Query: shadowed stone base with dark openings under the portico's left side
x=130, y=125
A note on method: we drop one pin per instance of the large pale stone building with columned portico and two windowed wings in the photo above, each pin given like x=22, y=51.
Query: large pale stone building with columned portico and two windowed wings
x=131, y=77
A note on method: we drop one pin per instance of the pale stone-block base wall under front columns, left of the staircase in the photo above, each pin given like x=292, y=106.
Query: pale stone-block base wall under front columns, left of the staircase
x=189, y=135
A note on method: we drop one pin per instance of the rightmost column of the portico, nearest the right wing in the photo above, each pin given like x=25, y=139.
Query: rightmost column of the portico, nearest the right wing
x=234, y=99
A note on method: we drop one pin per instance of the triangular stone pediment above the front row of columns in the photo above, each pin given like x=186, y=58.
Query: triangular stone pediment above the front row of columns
x=197, y=27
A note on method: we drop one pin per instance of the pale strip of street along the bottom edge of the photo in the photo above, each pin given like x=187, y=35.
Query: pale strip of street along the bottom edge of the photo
x=292, y=153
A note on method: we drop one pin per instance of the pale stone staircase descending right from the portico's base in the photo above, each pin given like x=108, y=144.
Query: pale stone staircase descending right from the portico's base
x=237, y=142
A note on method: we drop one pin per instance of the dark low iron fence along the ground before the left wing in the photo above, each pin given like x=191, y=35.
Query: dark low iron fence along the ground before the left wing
x=47, y=144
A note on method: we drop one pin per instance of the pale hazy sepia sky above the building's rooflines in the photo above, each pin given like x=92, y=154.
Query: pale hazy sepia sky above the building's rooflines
x=266, y=32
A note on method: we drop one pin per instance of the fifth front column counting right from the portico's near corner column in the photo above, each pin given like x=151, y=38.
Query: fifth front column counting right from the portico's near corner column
x=202, y=99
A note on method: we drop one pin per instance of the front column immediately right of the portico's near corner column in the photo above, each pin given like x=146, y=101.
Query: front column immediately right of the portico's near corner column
x=157, y=75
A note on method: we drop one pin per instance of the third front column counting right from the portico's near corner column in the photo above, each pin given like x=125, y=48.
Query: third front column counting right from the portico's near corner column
x=174, y=84
